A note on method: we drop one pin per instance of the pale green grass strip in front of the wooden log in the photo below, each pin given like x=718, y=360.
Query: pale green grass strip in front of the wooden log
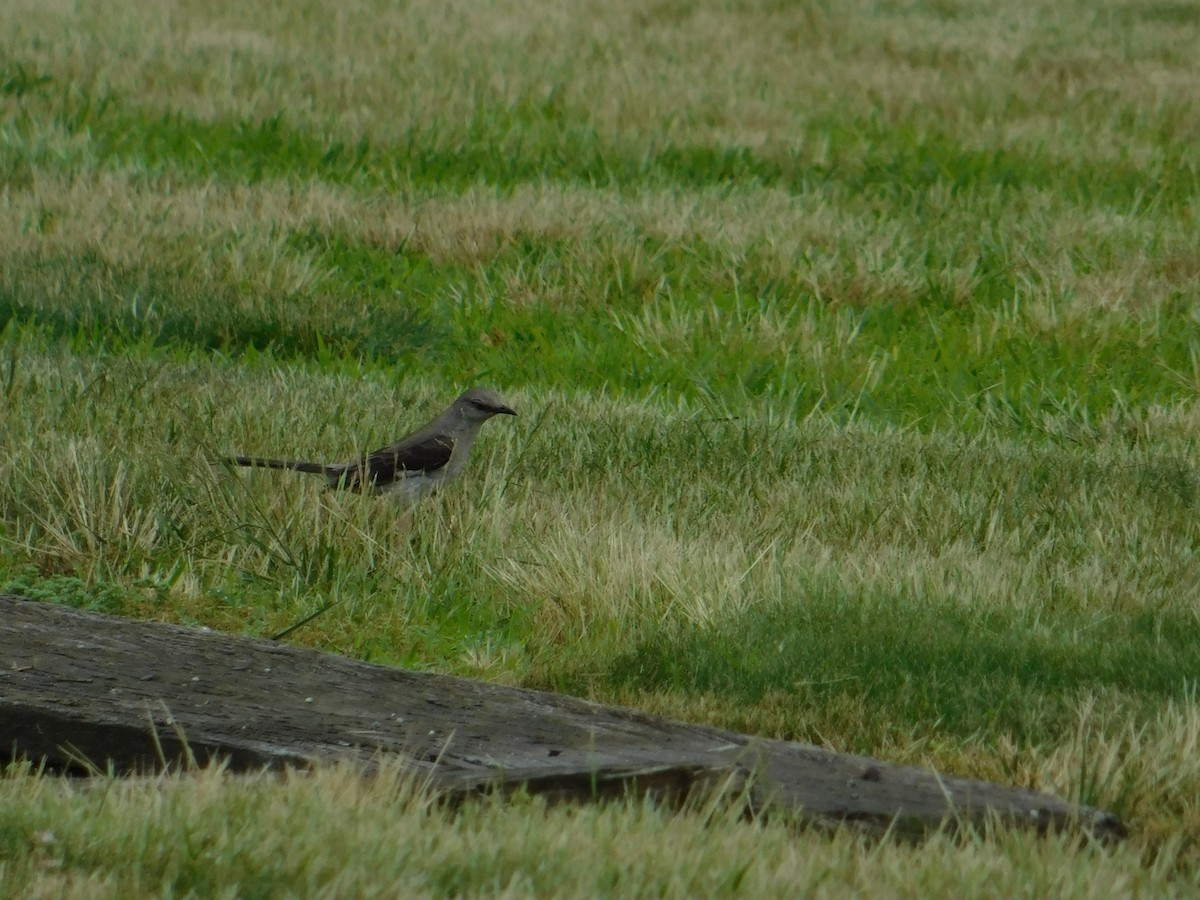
x=213, y=837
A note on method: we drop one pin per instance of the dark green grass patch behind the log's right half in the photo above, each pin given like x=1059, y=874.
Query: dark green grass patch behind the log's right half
x=923, y=663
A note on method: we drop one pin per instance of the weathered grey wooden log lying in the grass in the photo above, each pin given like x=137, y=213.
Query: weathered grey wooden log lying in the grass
x=80, y=689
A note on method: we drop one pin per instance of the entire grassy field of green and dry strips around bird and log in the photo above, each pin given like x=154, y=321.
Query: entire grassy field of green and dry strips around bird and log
x=857, y=352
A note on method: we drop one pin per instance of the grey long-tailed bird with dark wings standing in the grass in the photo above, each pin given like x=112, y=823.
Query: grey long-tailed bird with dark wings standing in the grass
x=415, y=466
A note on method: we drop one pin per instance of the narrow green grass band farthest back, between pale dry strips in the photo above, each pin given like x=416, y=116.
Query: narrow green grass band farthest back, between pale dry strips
x=539, y=140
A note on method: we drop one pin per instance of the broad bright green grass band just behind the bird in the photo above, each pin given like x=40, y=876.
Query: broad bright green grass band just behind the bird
x=625, y=311
